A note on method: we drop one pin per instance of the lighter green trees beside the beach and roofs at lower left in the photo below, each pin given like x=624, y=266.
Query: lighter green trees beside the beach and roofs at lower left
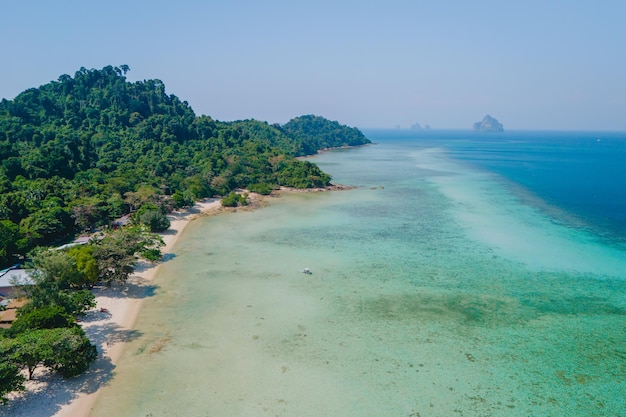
x=46, y=333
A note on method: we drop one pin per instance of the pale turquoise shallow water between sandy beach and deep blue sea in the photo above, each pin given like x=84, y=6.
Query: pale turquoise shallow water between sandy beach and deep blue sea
x=436, y=291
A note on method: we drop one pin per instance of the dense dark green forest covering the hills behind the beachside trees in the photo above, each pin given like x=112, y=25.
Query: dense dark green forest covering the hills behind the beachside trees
x=82, y=151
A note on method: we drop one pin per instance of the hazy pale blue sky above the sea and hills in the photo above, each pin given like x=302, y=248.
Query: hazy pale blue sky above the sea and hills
x=531, y=64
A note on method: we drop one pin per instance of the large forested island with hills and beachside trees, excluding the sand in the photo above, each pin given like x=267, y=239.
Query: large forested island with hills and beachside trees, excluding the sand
x=106, y=160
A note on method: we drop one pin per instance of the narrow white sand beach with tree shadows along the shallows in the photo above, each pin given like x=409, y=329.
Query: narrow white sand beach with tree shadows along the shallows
x=109, y=326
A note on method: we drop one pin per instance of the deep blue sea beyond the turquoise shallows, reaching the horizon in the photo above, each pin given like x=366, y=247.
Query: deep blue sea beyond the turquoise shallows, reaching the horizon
x=582, y=173
